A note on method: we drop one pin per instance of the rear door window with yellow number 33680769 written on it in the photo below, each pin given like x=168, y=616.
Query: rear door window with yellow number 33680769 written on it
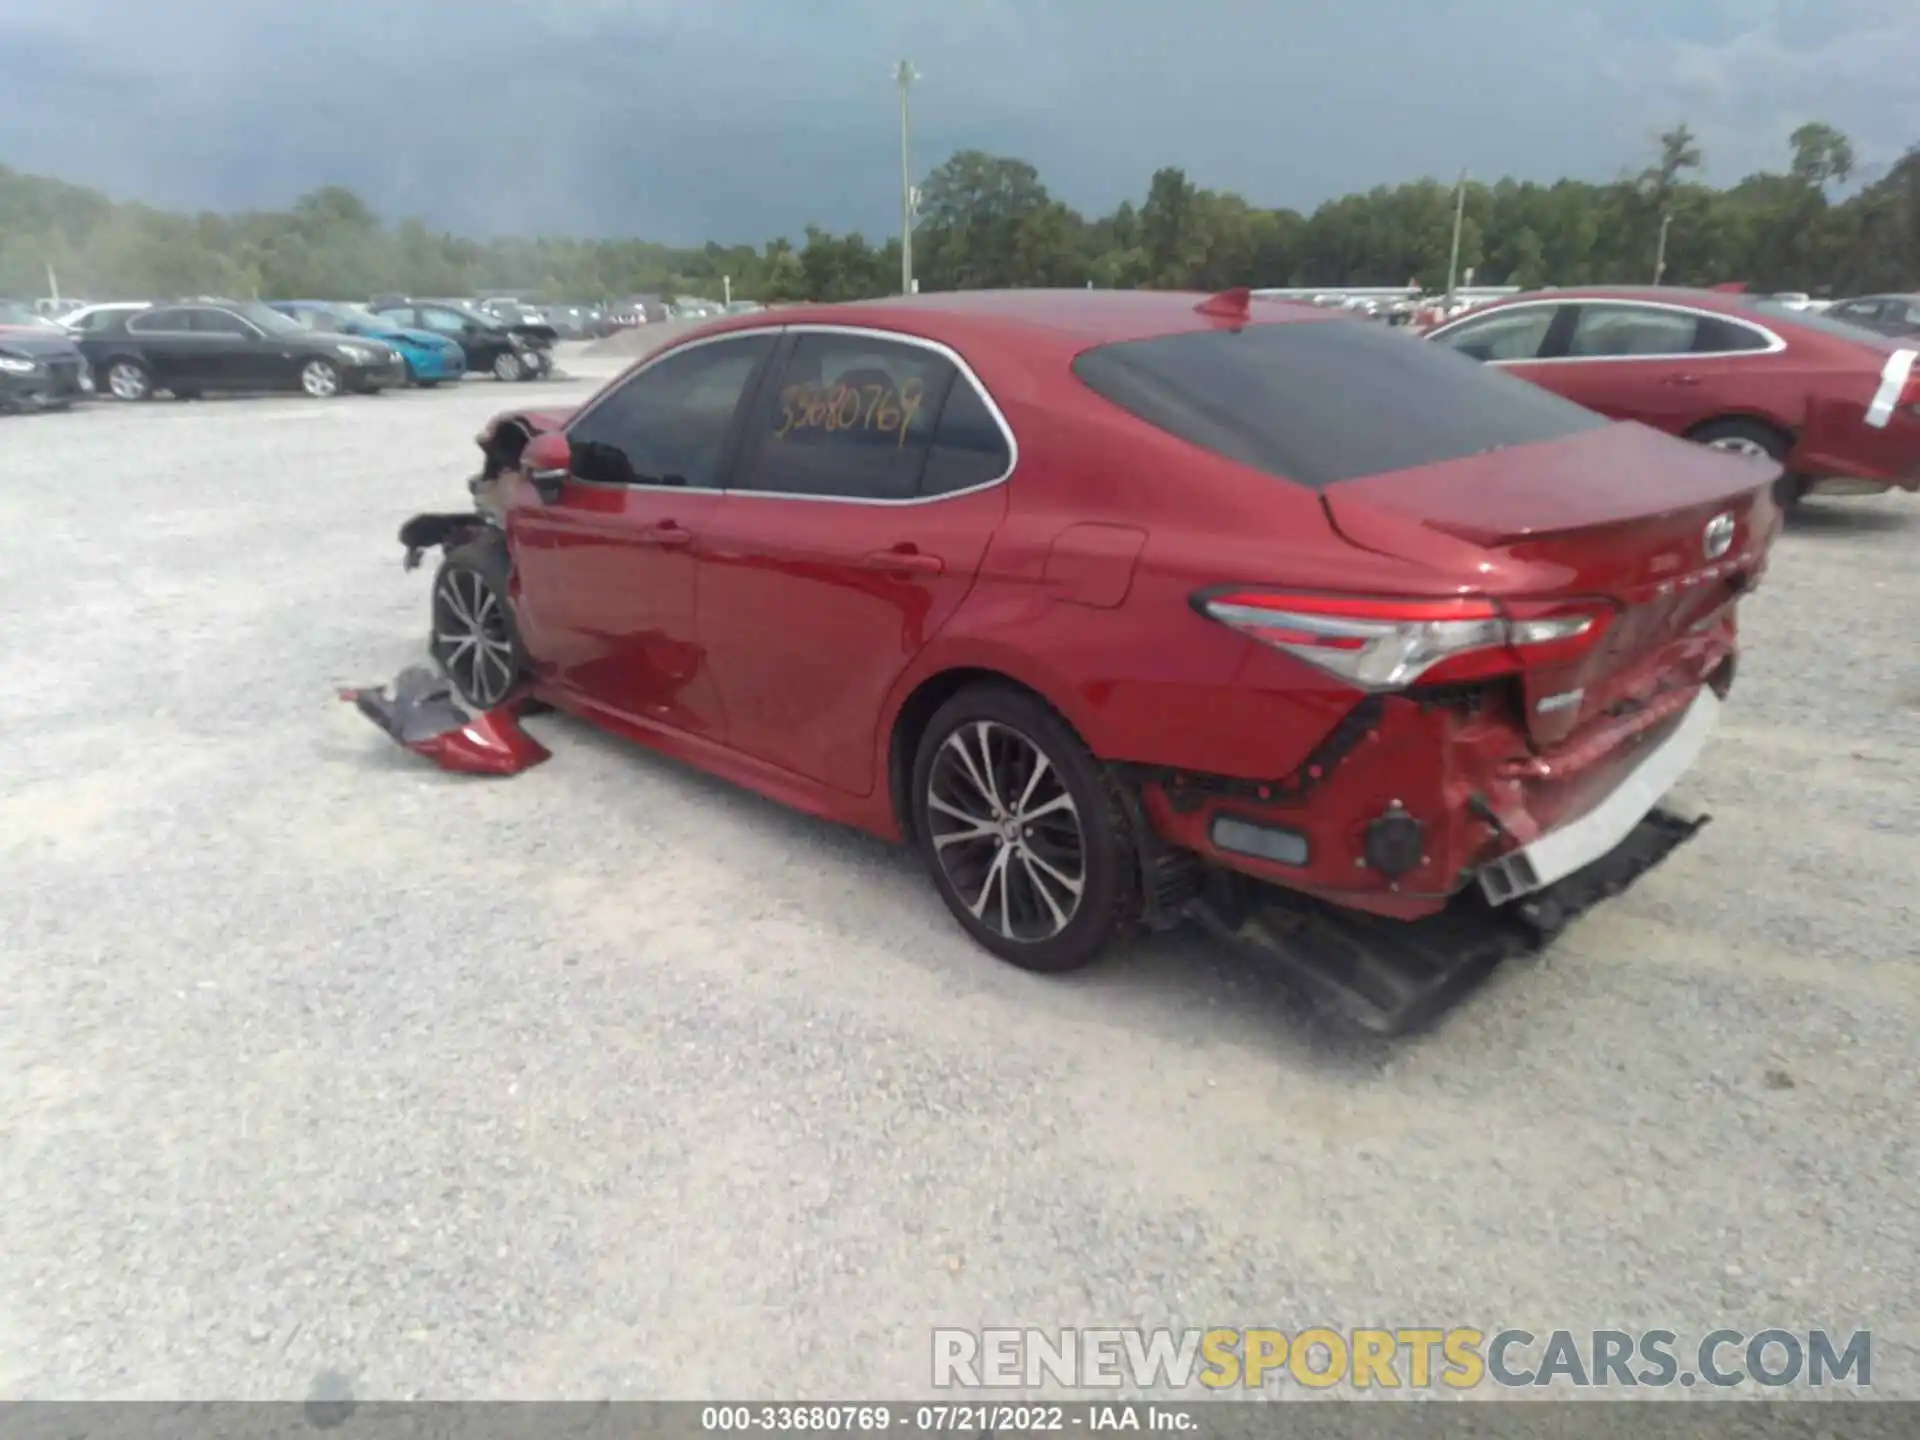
x=853, y=418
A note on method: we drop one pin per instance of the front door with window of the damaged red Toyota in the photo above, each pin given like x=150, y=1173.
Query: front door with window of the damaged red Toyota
x=608, y=571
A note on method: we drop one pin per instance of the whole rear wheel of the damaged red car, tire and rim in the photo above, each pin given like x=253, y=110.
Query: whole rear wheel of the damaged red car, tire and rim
x=1038, y=923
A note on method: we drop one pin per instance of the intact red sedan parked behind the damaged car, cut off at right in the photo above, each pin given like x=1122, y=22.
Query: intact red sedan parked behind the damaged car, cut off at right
x=1831, y=402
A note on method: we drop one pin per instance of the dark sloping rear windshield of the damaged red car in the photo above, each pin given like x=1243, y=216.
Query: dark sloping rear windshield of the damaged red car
x=1320, y=402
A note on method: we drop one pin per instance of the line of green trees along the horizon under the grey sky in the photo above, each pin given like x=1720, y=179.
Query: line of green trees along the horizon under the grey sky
x=992, y=222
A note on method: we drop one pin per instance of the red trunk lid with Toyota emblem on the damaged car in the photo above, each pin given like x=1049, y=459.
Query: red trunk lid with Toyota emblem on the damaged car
x=1666, y=533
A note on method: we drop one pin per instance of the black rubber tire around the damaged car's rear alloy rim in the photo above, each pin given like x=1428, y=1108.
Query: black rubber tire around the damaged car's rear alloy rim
x=1109, y=903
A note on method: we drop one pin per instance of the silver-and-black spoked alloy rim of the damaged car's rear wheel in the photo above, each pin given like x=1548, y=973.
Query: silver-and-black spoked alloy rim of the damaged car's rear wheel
x=1007, y=832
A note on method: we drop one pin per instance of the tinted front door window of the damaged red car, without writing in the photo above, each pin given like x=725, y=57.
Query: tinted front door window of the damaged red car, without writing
x=669, y=425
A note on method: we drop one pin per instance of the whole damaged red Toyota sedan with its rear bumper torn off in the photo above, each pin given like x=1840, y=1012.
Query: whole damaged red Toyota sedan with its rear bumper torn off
x=1134, y=608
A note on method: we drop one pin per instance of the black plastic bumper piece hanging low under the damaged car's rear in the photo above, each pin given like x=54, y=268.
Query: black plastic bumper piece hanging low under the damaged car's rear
x=1397, y=976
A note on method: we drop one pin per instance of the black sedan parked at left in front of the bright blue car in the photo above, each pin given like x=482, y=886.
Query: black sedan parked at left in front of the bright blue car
x=195, y=348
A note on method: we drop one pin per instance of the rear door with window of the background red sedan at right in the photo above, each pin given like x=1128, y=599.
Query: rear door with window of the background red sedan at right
x=1664, y=366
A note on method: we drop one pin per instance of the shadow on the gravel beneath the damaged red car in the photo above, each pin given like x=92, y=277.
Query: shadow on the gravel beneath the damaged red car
x=1180, y=984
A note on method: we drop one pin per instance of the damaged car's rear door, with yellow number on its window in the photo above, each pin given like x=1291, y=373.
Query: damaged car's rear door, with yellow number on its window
x=867, y=491
